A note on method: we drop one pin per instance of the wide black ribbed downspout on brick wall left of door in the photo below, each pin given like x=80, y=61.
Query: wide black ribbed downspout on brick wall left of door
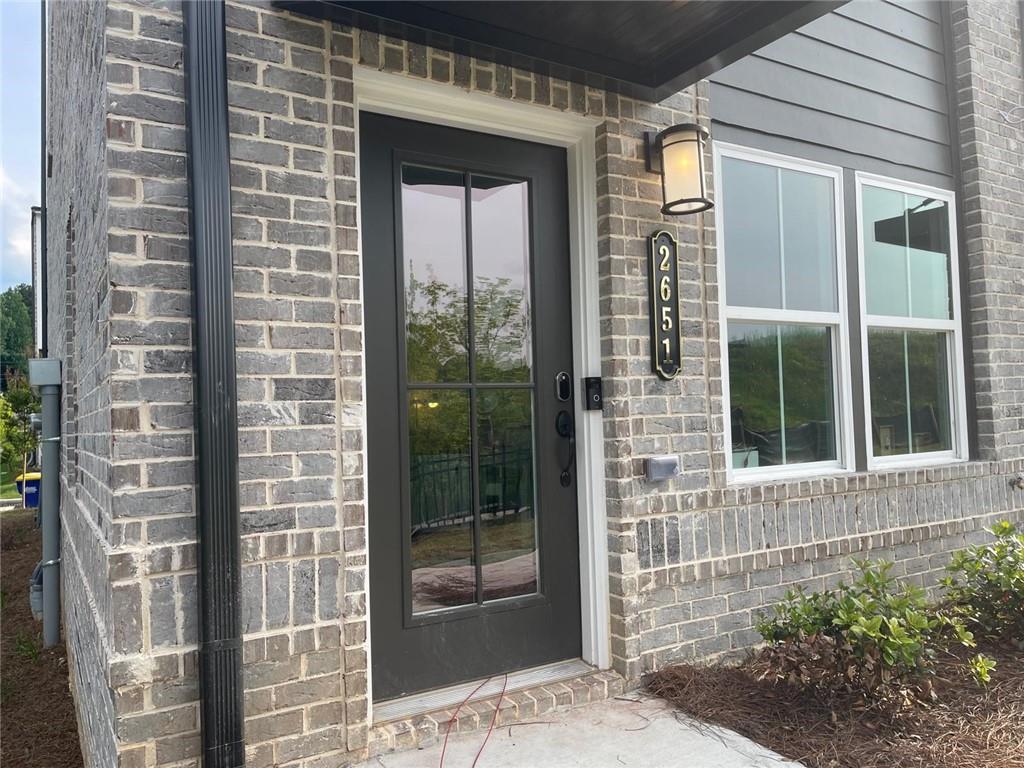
x=217, y=400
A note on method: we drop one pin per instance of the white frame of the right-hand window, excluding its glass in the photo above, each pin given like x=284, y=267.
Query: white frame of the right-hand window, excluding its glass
x=955, y=351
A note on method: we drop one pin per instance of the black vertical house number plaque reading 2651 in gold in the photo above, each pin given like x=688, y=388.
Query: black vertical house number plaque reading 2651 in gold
x=664, y=272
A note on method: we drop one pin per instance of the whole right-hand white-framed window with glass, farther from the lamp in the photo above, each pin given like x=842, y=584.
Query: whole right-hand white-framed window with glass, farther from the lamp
x=913, y=355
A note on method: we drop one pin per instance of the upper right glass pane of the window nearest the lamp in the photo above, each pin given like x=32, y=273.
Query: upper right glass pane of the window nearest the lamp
x=808, y=242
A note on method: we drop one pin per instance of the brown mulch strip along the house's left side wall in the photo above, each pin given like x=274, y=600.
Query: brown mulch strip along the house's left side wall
x=37, y=716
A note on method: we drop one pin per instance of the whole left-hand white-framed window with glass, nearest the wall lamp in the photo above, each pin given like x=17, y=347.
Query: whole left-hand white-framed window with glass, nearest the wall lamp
x=786, y=350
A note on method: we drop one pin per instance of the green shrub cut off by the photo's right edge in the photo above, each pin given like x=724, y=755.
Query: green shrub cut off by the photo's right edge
x=987, y=586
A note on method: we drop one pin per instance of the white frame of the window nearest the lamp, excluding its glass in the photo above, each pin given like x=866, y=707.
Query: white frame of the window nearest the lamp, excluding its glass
x=842, y=378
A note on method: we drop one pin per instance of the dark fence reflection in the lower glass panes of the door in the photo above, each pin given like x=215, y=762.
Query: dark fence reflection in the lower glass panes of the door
x=442, y=492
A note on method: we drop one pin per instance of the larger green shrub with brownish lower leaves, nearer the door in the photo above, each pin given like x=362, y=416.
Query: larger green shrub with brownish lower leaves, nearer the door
x=876, y=638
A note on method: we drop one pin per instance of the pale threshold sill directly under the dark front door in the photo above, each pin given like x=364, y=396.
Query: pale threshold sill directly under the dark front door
x=442, y=699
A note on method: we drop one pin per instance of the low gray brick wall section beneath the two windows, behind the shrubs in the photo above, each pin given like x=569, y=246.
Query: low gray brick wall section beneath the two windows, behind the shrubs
x=707, y=572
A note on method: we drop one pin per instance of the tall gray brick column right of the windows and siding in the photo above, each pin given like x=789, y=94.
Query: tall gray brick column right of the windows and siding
x=990, y=78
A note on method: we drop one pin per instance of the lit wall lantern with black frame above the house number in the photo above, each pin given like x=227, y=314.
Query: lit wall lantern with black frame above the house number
x=677, y=154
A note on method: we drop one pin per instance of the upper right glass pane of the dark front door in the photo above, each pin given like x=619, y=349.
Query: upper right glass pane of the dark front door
x=502, y=326
